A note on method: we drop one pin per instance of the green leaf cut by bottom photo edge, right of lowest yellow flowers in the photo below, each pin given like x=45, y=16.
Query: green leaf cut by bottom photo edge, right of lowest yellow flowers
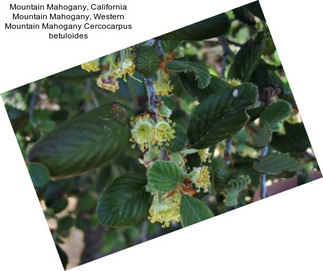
x=193, y=210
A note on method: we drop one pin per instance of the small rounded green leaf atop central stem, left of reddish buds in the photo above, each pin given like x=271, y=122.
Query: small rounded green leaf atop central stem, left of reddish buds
x=147, y=61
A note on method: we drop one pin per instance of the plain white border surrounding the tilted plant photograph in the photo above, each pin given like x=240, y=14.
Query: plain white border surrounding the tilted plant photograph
x=283, y=232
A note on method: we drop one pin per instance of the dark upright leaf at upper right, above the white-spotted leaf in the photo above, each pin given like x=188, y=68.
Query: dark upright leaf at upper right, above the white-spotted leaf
x=246, y=60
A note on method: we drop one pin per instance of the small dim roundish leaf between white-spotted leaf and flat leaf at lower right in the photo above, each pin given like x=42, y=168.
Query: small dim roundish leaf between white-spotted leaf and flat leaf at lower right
x=260, y=136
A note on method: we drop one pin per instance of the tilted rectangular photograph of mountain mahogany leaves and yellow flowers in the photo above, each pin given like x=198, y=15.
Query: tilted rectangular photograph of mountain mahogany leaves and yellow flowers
x=161, y=135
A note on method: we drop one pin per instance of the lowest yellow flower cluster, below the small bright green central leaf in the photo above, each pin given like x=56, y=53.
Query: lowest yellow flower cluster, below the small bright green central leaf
x=165, y=210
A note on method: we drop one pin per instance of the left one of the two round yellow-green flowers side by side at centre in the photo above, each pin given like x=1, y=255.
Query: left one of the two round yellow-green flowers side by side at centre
x=143, y=132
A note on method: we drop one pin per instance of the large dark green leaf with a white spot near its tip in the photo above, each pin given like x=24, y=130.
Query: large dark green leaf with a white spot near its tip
x=221, y=115
